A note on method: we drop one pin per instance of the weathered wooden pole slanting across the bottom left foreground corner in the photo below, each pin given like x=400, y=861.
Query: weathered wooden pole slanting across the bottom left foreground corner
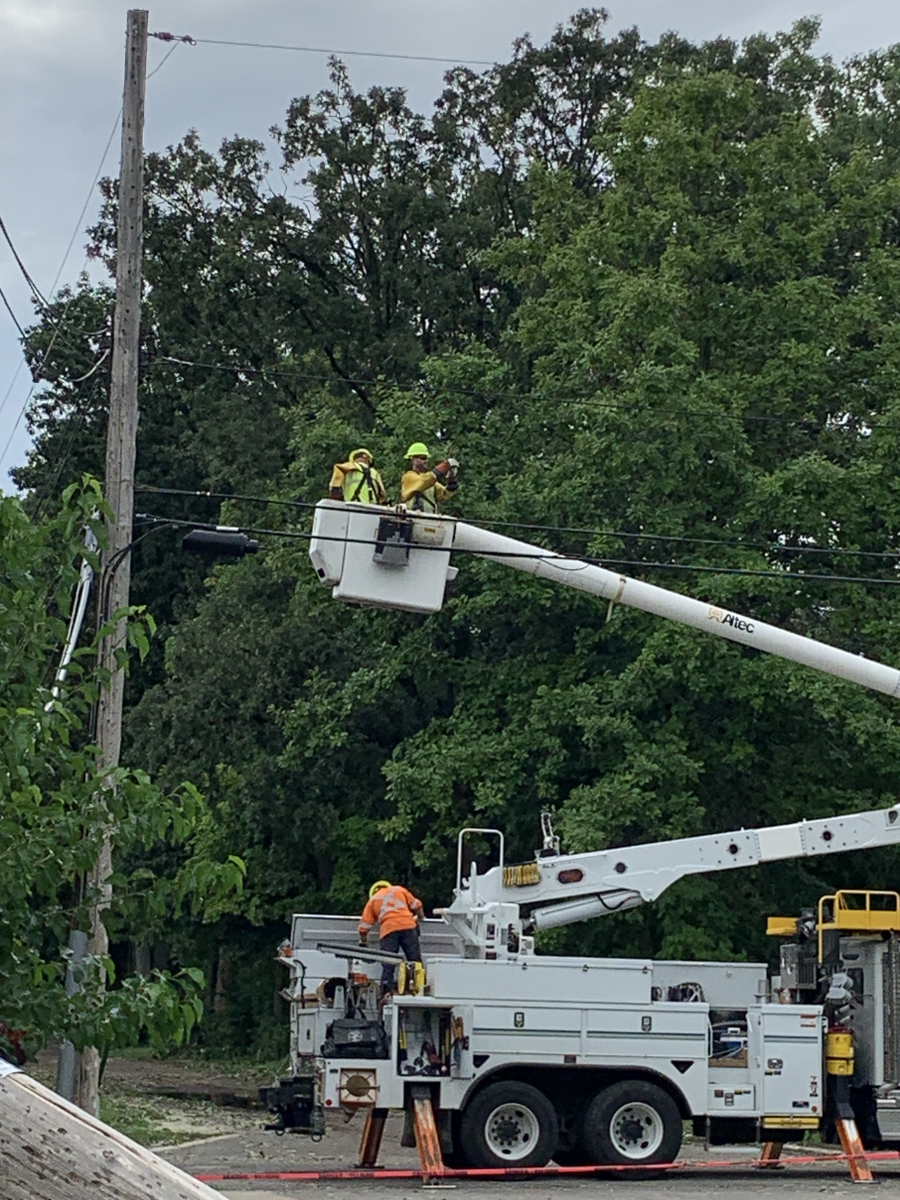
x=52, y=1150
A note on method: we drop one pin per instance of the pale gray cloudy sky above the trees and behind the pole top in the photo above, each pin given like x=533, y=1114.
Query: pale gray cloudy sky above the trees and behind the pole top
x=62, y=79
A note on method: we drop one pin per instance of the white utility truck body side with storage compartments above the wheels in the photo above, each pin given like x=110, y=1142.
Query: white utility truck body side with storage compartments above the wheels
x=579, y=1015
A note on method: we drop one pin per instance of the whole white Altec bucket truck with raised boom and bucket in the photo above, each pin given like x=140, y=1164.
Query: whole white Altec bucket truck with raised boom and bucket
x=523, y=1058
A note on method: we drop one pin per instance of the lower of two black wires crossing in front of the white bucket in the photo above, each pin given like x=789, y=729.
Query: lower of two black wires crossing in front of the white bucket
x=634, y=565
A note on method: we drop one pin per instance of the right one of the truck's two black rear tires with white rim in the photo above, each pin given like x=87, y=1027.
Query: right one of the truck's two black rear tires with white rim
x=633, y=1124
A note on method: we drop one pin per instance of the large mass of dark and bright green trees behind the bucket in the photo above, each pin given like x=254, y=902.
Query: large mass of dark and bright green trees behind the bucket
x=647, y=295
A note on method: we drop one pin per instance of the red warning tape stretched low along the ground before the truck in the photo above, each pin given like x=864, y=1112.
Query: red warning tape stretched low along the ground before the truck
x=490, y=1173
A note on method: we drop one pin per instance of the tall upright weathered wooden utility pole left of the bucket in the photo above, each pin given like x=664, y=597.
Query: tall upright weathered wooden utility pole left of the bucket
x=122, y=440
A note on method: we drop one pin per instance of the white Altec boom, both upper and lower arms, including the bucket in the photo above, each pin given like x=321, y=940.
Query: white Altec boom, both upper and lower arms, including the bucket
x=410, y=569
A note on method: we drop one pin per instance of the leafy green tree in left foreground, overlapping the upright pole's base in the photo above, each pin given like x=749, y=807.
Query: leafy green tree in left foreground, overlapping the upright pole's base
x=56, y=807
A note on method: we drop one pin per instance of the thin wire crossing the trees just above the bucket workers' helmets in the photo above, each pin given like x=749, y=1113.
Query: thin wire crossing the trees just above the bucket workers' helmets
x=589, y=400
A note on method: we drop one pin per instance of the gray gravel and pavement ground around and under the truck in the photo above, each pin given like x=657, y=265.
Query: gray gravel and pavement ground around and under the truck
x=242, y=1147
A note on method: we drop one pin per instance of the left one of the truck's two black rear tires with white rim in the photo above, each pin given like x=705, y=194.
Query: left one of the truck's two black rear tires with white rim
x=509, y=1125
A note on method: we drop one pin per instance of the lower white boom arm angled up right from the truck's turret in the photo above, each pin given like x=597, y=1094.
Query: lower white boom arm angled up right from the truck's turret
x=566, y=889
